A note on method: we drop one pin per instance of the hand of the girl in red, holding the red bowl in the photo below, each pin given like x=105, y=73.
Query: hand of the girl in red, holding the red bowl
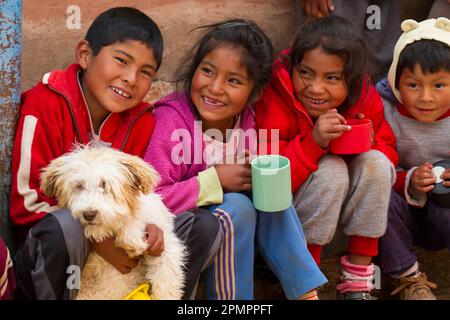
x=329, y=126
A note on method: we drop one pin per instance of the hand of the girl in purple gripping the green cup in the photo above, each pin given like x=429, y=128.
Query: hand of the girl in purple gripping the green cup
x=236, y=176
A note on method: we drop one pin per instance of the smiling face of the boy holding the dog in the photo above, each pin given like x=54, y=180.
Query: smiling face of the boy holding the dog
x=118, y=77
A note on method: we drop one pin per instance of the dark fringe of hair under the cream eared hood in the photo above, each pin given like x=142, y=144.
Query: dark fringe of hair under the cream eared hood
x=431, y=55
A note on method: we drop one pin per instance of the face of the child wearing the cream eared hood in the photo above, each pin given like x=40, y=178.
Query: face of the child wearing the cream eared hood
x=425, y=96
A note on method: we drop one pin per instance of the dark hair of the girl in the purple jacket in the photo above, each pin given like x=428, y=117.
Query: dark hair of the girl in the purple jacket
x=257, y=56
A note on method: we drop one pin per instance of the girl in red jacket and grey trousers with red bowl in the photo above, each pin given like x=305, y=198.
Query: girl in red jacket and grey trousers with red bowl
x=315, y=88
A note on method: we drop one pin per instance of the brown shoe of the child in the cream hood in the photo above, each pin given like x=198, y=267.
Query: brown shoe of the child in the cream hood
x=415, y=288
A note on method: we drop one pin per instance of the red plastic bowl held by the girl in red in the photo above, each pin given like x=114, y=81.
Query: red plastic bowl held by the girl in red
x=357, y=140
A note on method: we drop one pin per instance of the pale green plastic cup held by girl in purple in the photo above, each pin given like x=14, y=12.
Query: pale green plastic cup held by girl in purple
x=271, y=183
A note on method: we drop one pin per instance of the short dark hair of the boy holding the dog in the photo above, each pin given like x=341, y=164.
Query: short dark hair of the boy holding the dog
x=124, y=23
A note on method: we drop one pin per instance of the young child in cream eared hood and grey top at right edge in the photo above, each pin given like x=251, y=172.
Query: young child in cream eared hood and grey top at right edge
x=416, y=98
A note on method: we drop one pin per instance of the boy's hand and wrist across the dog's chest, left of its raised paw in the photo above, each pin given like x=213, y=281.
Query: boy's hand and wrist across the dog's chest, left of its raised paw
x=114, y=255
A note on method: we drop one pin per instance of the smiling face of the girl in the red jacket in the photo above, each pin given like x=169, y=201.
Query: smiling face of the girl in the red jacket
x=319, y=83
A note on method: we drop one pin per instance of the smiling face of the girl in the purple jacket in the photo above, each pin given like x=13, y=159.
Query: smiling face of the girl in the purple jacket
x=221, y=87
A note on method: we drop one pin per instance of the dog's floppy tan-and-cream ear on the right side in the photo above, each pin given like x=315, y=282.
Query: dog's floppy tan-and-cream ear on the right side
x=143, y=177
